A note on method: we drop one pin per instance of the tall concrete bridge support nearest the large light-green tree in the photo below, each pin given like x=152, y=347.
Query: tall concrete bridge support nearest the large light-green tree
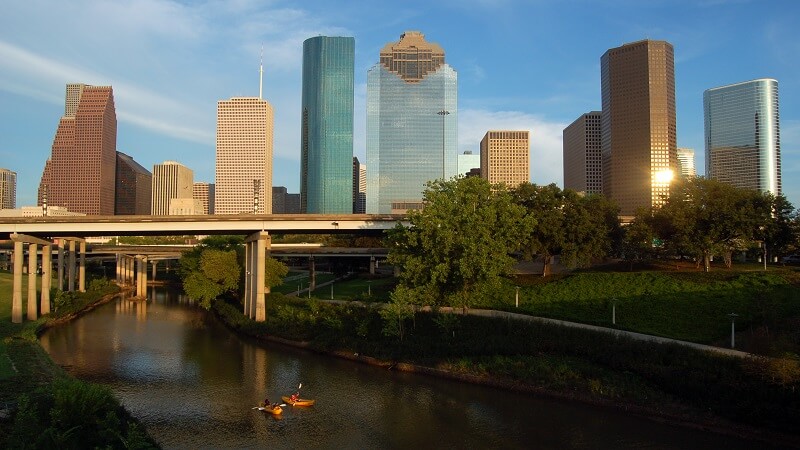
x=256, y=248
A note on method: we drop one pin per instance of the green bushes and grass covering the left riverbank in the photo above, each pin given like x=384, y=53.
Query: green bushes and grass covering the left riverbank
x=43, y=406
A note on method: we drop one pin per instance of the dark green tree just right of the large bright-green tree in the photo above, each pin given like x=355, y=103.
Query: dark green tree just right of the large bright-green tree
x=579, y=228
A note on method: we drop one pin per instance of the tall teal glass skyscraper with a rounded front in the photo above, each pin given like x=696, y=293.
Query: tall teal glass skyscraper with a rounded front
x=327, y=125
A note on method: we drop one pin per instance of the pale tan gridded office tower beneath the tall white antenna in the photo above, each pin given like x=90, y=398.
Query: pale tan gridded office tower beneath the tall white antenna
x=244, y=156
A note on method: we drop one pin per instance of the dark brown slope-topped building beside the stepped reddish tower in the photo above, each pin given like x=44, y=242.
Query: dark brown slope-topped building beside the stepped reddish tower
x=134, y=188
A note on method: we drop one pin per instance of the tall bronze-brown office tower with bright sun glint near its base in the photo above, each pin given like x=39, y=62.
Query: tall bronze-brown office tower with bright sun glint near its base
x=638, y=125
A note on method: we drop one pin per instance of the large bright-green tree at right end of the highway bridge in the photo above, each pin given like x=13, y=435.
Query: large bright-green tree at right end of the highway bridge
x=462, y=239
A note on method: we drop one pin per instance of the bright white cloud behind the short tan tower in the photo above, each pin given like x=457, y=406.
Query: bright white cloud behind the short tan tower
x=546, y=148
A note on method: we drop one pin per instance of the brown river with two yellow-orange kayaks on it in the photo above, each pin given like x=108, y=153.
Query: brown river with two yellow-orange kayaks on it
x=193, y=384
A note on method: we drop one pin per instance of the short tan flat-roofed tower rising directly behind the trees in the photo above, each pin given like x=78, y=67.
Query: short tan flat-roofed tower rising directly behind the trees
x=505, y=157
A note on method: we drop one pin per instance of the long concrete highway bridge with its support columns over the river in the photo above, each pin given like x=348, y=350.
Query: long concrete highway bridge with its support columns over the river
x=41, y=233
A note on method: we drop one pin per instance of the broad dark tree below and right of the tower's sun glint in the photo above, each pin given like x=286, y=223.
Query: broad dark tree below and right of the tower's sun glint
x=703, y=217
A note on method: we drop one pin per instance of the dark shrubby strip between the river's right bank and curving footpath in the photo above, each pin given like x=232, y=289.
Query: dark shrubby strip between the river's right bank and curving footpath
x=747, y=397
